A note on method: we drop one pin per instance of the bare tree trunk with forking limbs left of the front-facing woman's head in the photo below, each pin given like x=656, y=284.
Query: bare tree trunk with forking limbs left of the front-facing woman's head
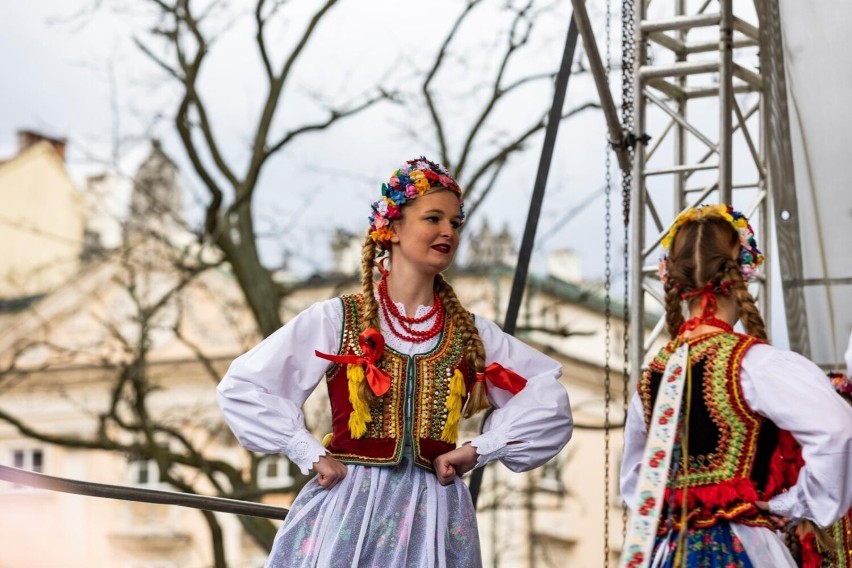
x=231, y=226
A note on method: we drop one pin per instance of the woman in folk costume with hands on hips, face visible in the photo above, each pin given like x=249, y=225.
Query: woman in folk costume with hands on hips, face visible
x=403, y=362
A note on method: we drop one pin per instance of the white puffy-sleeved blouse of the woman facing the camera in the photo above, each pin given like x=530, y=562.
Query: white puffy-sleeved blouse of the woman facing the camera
x=263, y=392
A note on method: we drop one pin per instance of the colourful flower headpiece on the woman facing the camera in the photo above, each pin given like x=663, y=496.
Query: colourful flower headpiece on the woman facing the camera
x=413, y=179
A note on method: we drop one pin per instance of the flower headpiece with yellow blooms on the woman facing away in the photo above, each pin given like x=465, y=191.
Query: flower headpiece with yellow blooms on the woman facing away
x=750, y=256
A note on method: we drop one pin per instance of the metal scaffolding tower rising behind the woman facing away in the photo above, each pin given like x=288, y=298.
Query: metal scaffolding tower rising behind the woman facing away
x=700, y=98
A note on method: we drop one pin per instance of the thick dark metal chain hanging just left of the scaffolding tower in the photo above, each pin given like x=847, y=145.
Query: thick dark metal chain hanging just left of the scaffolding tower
x=628, y=62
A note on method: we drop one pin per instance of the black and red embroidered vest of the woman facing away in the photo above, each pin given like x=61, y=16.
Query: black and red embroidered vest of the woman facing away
x=729, y=446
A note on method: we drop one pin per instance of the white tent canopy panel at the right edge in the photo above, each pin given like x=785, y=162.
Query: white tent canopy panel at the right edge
x=818, y=68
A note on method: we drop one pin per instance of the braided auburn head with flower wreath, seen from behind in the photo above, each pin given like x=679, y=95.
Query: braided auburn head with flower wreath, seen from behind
x=709, y=247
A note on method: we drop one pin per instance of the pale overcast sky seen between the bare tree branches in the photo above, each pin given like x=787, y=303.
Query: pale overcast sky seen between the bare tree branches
x=81, y=77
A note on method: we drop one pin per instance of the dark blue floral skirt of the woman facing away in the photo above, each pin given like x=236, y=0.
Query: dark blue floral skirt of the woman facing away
x=717, y=546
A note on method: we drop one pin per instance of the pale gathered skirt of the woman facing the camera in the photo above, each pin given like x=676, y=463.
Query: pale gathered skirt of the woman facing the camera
x=380, y=517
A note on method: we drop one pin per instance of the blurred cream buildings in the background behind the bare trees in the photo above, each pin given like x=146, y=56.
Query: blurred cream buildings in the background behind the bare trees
x=115, y=331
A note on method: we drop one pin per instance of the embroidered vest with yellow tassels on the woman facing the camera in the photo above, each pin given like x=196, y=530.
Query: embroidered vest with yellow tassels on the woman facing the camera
x=428, y=376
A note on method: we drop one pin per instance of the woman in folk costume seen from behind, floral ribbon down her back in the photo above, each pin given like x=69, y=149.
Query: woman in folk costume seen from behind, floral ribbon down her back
x=701, y=470
